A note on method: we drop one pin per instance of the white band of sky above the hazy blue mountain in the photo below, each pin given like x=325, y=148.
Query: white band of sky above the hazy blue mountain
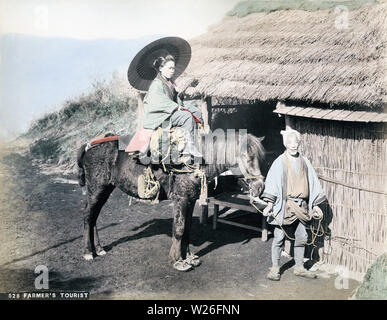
x=123, y=19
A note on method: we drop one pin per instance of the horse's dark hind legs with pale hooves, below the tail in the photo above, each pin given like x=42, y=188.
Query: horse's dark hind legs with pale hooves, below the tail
x=95, y=202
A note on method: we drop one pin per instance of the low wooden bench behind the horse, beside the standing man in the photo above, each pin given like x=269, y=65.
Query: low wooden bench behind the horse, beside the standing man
x=236, y=201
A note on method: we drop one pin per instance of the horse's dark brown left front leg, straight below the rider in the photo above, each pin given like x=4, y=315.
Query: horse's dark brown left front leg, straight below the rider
x=180, y=209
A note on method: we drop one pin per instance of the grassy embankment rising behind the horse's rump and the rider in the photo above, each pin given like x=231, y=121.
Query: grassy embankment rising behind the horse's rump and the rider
x=110, y=106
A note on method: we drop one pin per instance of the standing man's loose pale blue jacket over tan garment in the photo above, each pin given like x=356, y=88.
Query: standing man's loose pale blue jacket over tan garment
x=290, y=187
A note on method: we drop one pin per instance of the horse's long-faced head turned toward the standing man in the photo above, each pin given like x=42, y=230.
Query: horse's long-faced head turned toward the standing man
x=249, y=165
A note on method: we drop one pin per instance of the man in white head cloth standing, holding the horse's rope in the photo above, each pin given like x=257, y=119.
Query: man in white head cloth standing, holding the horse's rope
x=293, y=193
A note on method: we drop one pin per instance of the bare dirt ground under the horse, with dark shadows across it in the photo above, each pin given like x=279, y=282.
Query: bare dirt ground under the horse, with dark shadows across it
x=41, y=224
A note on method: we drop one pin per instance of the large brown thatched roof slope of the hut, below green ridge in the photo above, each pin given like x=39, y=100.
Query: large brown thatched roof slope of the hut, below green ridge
x=294, y=55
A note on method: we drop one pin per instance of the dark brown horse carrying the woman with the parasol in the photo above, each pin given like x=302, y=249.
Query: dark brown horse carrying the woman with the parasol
x=103, y=168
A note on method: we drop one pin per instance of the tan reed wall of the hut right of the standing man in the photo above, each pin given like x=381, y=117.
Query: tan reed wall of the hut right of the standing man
x=353, y=157
